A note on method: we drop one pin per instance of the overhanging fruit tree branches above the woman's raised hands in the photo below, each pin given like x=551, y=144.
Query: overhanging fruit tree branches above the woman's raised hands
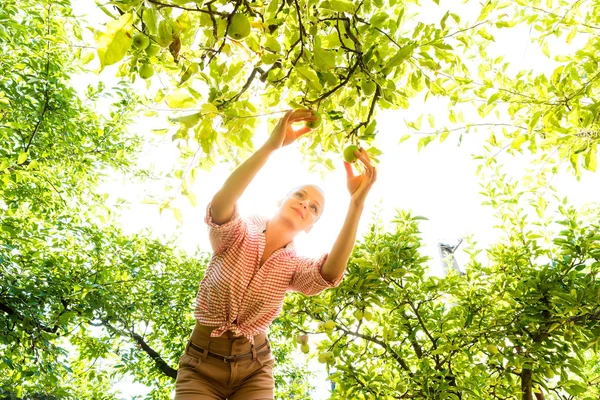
x=350, y=60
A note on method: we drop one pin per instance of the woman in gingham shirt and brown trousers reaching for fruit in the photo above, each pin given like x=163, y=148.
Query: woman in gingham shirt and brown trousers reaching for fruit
x=254, y=264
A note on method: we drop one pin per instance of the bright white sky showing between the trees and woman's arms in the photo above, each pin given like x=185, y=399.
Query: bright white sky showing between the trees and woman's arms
x=438, y=183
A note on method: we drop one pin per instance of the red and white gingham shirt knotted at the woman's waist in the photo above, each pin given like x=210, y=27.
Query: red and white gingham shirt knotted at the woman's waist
x=238, y=295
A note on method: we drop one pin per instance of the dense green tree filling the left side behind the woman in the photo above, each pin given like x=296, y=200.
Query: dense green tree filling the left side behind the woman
x=82, y=305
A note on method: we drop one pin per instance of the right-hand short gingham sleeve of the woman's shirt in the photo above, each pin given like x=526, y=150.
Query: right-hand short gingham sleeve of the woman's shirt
x=307, y=276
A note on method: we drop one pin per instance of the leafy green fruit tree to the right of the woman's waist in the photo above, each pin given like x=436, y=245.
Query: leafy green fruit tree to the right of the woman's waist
x=522, y=323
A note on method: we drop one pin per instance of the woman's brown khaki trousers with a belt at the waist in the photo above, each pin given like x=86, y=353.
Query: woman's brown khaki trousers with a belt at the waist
x=202, y=376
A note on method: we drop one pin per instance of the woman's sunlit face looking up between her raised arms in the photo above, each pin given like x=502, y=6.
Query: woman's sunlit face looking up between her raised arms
x=303, y=206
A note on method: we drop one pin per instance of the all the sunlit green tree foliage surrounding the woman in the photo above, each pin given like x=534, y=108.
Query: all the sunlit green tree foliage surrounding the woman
x=84, y=305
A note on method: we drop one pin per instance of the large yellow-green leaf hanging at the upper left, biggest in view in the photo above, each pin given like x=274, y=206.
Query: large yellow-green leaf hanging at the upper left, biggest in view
x=116, y=41
